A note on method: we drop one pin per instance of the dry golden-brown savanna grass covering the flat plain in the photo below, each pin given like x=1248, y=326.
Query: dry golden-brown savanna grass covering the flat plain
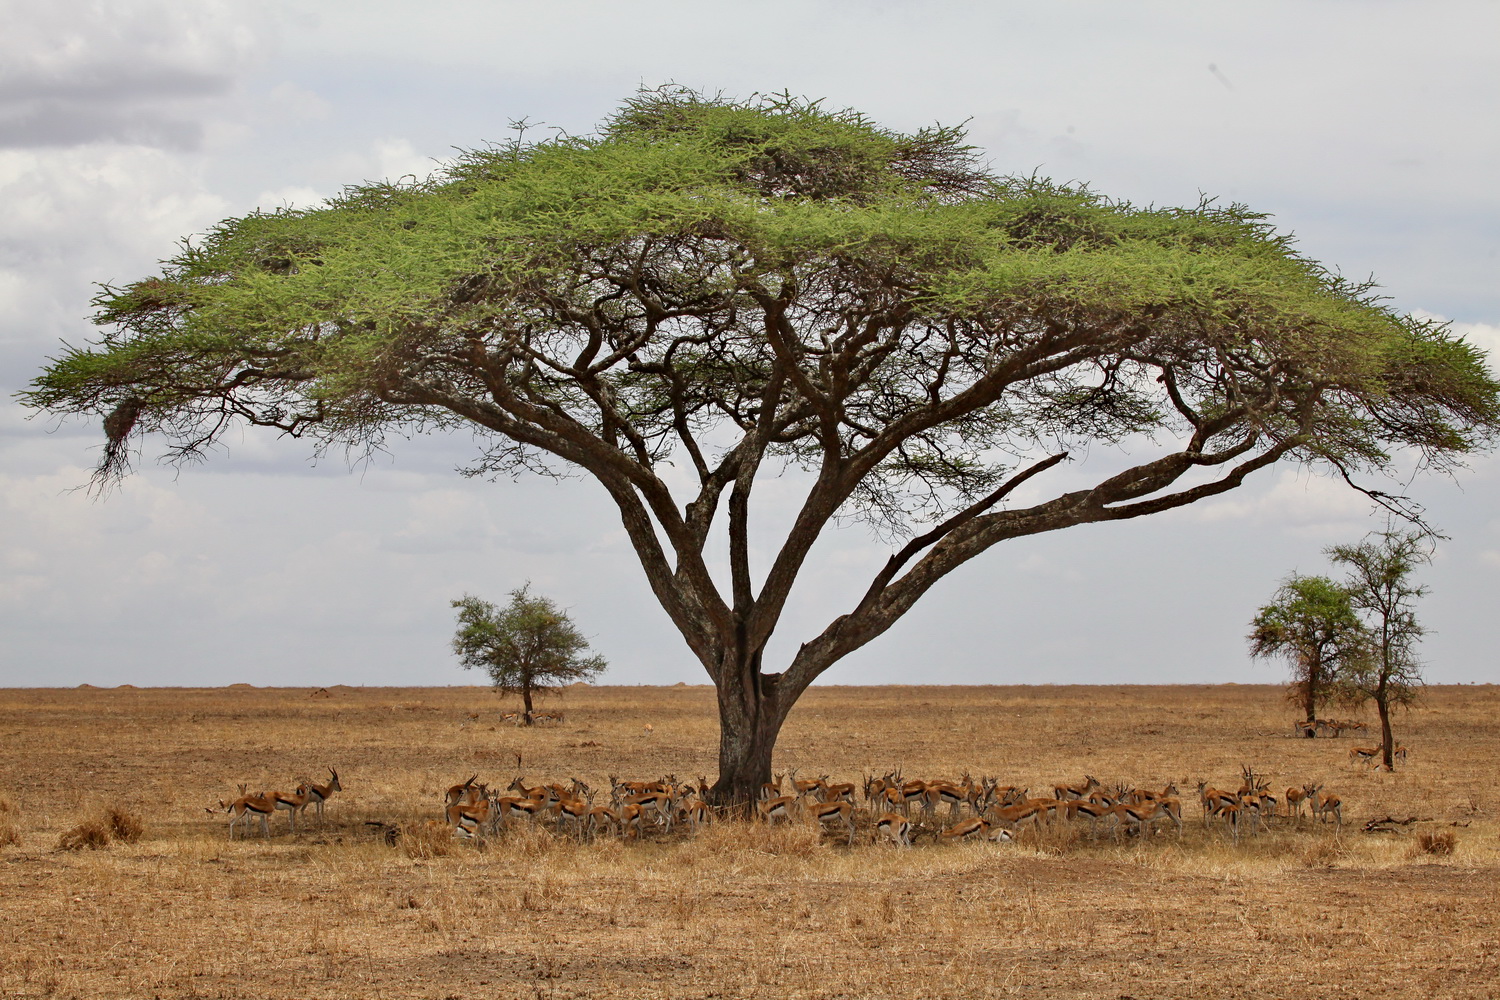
x=377, y=899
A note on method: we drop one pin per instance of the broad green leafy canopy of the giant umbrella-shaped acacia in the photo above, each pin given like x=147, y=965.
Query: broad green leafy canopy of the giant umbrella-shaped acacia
x=311, y=320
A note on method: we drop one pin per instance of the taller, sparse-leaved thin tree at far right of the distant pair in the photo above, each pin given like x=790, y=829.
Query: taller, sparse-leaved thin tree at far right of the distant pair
x=1382, y=590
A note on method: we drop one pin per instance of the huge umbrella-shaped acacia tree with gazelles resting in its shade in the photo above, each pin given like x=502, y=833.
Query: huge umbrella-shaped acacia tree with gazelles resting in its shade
x=743, y=289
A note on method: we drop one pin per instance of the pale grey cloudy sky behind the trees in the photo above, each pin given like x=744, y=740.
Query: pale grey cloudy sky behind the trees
x=1367, y=128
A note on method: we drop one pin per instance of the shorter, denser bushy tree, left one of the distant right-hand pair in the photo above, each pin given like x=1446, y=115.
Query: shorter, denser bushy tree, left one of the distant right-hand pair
x=1312, y=623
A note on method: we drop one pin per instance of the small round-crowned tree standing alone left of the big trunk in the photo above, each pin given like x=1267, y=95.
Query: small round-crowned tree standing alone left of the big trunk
x=530, y=645
